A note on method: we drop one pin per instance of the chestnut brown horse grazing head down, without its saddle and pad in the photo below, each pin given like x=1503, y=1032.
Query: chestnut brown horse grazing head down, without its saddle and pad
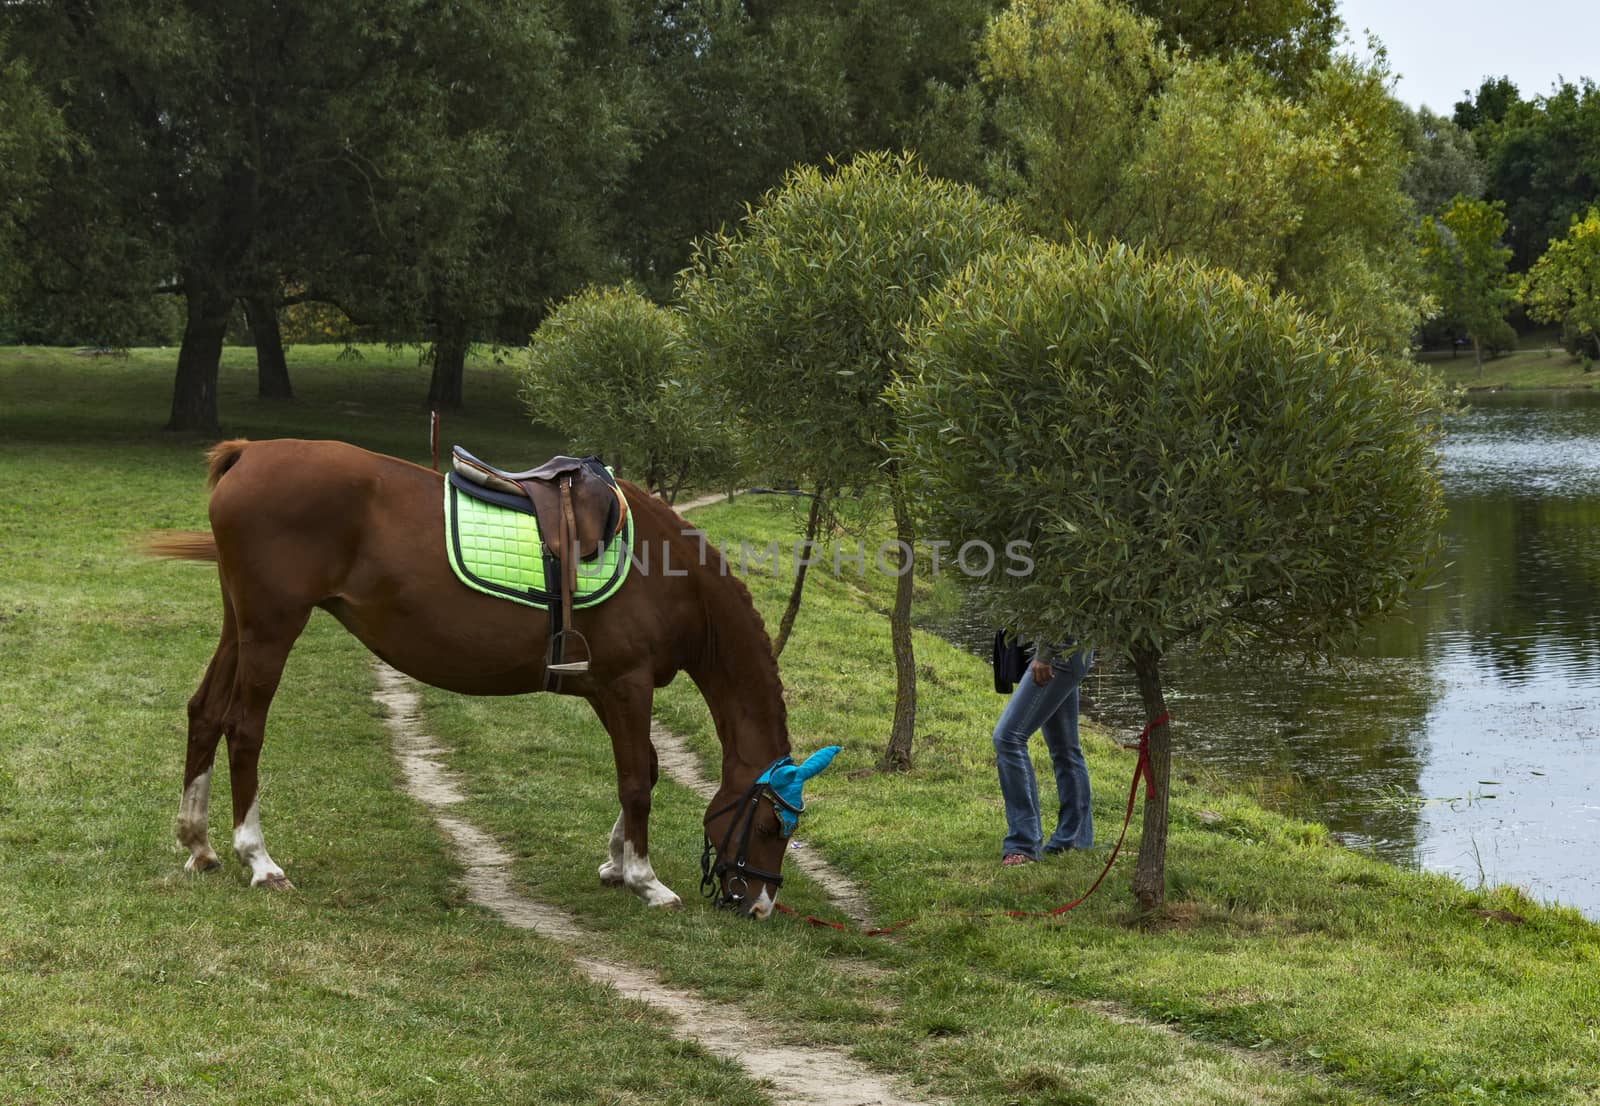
x=298, y=526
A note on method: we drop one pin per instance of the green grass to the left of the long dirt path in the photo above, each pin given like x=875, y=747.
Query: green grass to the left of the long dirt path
x=126, y=982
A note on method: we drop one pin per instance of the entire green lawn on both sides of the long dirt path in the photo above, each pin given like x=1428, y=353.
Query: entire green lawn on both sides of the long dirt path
x=1286, y=971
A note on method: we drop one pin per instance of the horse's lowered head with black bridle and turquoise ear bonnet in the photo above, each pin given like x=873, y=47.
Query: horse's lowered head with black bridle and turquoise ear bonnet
x=743, y=870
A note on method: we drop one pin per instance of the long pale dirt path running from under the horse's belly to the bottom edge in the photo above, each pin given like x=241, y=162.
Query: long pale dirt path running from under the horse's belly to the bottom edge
x=801, y=1075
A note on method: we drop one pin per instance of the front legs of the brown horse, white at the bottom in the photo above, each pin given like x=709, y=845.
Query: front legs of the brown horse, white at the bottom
x=625, y=711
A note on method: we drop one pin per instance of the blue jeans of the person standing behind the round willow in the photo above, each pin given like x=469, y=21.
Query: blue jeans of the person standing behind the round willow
x=1052, y=708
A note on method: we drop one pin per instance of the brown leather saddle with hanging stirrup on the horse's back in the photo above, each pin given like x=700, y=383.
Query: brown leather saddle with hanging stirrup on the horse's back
x=580, y=510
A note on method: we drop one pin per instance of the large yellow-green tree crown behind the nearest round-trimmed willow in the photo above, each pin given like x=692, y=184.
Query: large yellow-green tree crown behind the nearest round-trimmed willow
x=1105, y=134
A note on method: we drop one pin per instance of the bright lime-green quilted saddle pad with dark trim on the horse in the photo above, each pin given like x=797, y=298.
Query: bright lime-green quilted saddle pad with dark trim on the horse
x=498, y=551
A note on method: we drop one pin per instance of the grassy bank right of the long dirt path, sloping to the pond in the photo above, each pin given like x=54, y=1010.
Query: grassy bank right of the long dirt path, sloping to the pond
x=1348, y=979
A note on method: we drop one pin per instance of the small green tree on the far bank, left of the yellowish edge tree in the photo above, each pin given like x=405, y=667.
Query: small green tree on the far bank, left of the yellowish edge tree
x=1466, y=266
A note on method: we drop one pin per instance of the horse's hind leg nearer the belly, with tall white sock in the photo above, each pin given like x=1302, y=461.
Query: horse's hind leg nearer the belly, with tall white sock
x=263, y=649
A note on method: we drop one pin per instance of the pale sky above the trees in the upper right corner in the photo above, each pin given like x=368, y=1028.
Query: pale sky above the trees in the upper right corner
x=1441, y=50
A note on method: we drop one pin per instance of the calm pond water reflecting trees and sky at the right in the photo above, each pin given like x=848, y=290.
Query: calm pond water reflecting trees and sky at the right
x=1468, y=739
